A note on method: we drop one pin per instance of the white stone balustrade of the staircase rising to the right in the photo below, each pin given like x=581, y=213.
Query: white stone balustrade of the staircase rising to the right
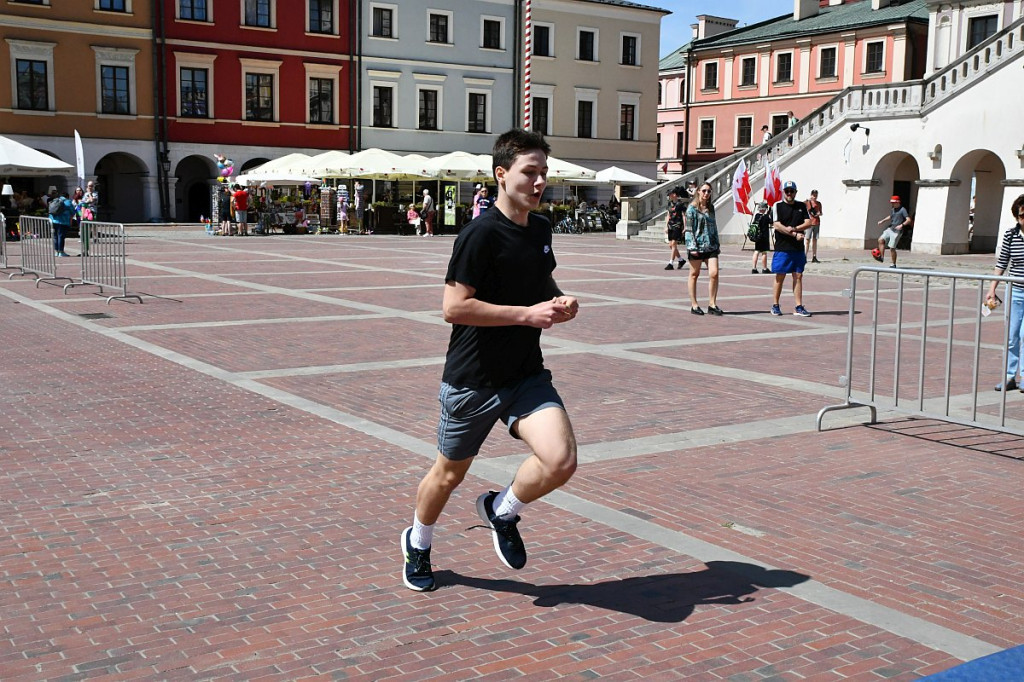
x=646, y=215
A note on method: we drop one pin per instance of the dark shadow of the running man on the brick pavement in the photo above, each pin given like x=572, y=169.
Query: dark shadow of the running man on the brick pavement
x=663, y=599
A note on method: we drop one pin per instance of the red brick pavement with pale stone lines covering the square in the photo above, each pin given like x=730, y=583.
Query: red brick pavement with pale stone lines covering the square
x=212, y=484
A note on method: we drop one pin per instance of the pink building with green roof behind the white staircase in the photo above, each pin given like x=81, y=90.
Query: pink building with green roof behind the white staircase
x=718, y=92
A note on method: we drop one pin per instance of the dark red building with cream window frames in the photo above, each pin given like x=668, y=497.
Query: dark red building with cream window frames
x=252, y=81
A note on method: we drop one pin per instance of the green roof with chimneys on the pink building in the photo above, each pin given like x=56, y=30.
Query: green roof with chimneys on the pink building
x=833, y=19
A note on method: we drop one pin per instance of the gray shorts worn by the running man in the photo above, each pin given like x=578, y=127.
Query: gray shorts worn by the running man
x=470, y=414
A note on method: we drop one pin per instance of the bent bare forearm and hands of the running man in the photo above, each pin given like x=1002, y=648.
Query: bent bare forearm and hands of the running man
x=462, y=308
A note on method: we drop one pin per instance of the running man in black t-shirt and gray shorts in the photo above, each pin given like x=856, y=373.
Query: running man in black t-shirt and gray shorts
x=499, y=294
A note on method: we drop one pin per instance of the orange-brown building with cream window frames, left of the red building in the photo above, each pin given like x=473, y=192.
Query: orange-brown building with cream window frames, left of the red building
x=84, y=67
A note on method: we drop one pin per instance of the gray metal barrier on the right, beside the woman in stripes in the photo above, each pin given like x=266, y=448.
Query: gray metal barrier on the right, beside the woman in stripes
x=941, y=392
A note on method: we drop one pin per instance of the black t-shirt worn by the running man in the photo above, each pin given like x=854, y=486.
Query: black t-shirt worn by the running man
x=507, y=265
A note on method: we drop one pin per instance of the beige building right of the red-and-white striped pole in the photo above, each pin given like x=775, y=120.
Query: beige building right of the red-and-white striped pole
x=594, y=81
